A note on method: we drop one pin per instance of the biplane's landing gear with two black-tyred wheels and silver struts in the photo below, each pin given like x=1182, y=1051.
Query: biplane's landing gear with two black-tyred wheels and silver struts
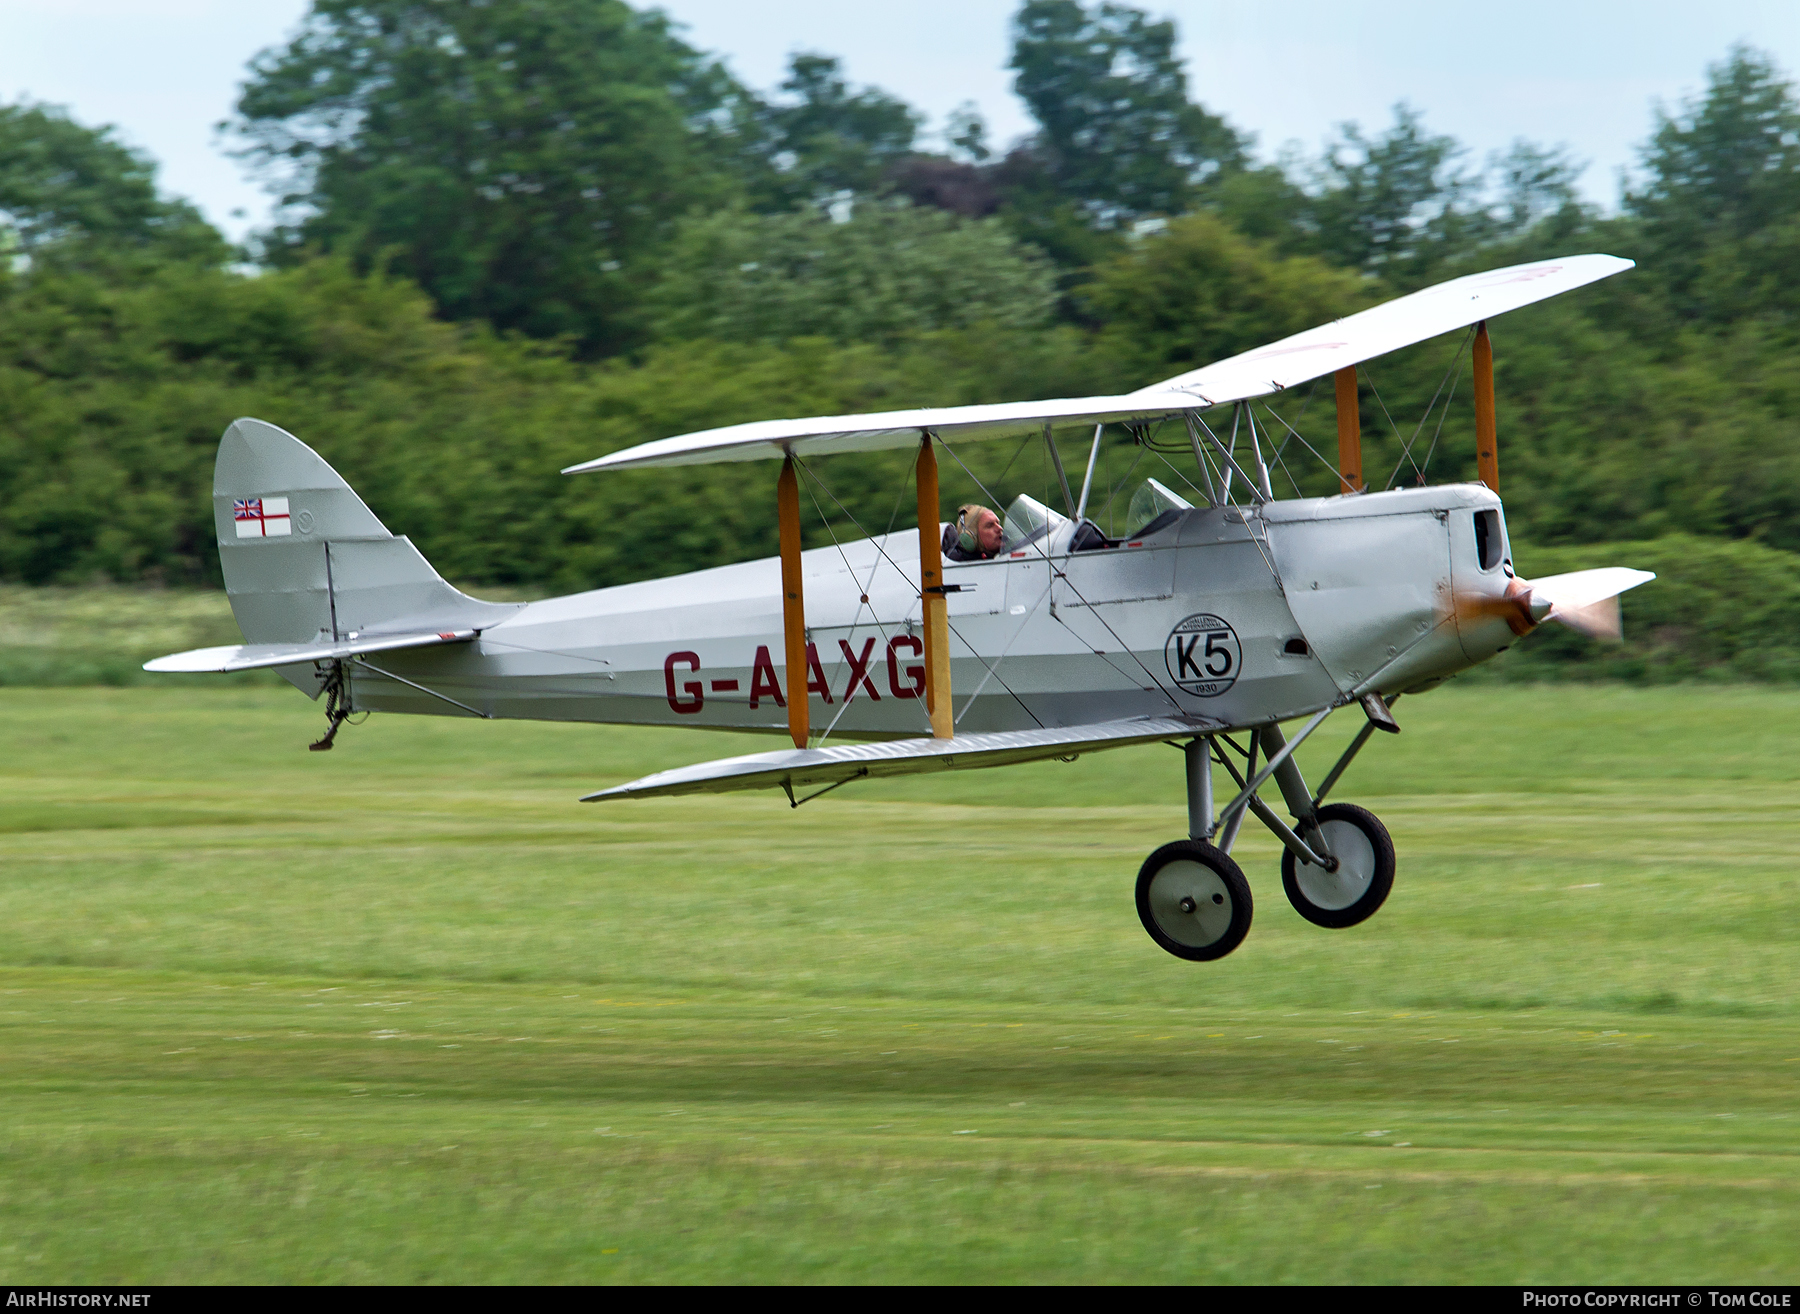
x=1336, y=861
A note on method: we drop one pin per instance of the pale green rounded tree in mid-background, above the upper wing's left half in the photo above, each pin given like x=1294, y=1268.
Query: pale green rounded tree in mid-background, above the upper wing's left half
x=888, y=273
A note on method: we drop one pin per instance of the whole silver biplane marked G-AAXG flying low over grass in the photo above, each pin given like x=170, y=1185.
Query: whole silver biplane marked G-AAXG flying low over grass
x=1225, y=620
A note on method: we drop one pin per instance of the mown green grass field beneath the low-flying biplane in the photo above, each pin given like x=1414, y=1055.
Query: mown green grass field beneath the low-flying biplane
x=408, y=1012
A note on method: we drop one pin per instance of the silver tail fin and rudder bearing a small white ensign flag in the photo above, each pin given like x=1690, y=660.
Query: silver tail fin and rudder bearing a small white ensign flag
x=307, y=561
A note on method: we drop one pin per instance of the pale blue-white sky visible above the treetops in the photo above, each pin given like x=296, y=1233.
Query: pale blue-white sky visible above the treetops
x=1578, y=73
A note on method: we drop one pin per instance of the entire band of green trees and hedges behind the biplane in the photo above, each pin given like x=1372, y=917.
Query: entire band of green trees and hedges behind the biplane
x=521, y=233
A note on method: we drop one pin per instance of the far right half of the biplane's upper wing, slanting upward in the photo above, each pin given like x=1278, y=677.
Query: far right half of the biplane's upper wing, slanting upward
x=1389, y=327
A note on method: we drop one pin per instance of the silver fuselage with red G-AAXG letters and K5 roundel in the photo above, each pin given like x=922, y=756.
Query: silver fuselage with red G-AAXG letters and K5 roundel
x=1245, y=616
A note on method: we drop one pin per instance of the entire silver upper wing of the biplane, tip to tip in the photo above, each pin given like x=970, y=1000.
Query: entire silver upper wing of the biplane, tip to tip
x=1268, y=370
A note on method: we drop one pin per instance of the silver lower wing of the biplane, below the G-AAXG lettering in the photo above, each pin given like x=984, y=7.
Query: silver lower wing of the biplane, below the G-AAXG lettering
x=802, y=768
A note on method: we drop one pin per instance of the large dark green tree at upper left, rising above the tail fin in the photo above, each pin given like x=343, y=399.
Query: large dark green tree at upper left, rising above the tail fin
x=517, y=161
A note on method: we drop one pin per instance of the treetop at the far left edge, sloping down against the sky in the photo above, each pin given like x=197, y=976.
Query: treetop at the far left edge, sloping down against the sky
x=76, y=193
